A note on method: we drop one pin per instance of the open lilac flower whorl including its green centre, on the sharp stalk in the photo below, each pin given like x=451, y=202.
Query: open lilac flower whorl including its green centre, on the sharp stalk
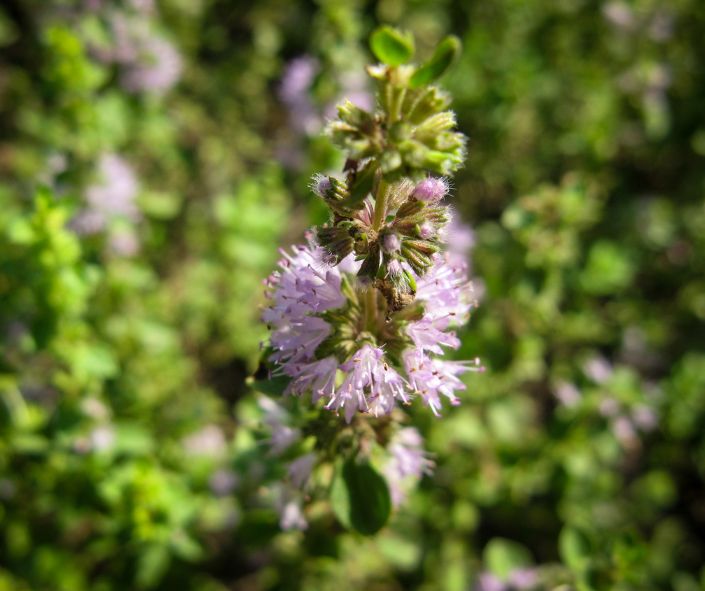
x=326, y=325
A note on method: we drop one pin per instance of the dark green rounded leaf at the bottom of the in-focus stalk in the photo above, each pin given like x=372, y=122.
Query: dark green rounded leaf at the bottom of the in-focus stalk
x=360, y=497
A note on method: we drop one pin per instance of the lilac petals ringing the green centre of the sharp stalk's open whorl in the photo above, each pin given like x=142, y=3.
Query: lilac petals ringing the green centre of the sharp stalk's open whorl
x=366, y=381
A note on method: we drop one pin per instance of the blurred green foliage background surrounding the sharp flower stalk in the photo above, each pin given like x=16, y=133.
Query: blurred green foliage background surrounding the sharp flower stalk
x=131, y=451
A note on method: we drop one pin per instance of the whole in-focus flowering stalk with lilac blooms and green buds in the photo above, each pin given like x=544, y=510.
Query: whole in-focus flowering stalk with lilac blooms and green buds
x=361, y=315
